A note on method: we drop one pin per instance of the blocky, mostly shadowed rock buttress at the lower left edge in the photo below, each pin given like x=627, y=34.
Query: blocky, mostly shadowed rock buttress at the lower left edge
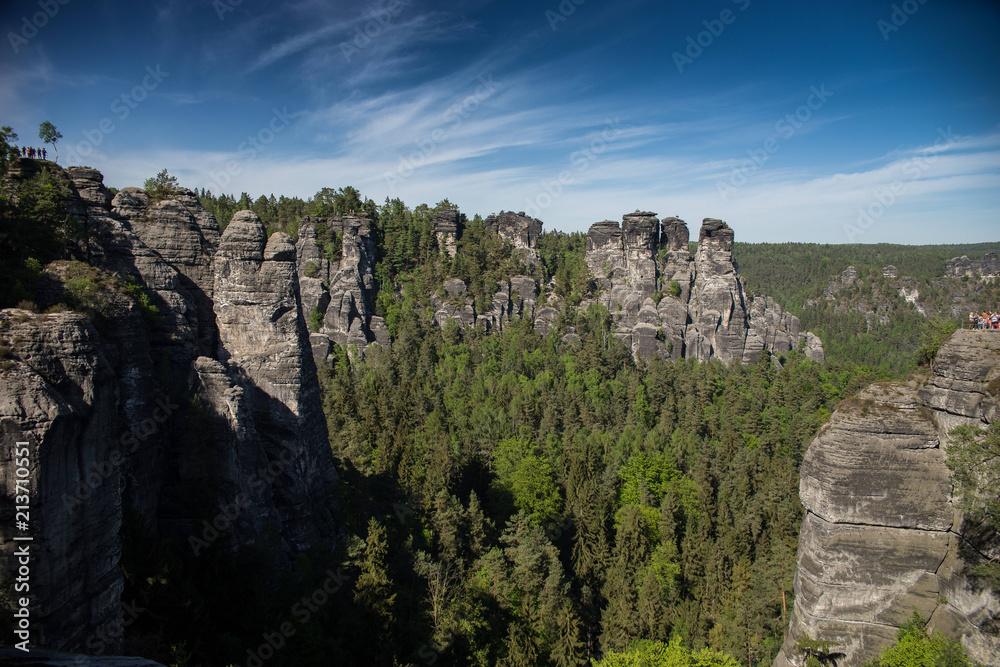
x=60, y=397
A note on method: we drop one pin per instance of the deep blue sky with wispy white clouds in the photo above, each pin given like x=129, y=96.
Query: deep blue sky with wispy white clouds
x=843, y=121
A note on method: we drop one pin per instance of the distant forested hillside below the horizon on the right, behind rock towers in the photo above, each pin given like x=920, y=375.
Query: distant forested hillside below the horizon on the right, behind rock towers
x=874, y=320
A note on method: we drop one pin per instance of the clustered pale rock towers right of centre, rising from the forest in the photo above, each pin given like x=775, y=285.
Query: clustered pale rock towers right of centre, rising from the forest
x=669, y=304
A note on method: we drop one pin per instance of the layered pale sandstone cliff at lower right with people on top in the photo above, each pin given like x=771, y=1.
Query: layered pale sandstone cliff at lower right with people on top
x=880, y=535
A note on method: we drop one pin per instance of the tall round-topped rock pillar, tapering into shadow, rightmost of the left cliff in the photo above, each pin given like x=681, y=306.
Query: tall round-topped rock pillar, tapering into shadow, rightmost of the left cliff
x=263, y=333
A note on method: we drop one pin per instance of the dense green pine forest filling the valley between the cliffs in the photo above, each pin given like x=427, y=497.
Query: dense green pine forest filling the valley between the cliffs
x=514, y=499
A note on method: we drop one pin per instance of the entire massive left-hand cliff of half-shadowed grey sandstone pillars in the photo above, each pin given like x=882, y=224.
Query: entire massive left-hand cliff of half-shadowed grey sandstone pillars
x=208, y=407
